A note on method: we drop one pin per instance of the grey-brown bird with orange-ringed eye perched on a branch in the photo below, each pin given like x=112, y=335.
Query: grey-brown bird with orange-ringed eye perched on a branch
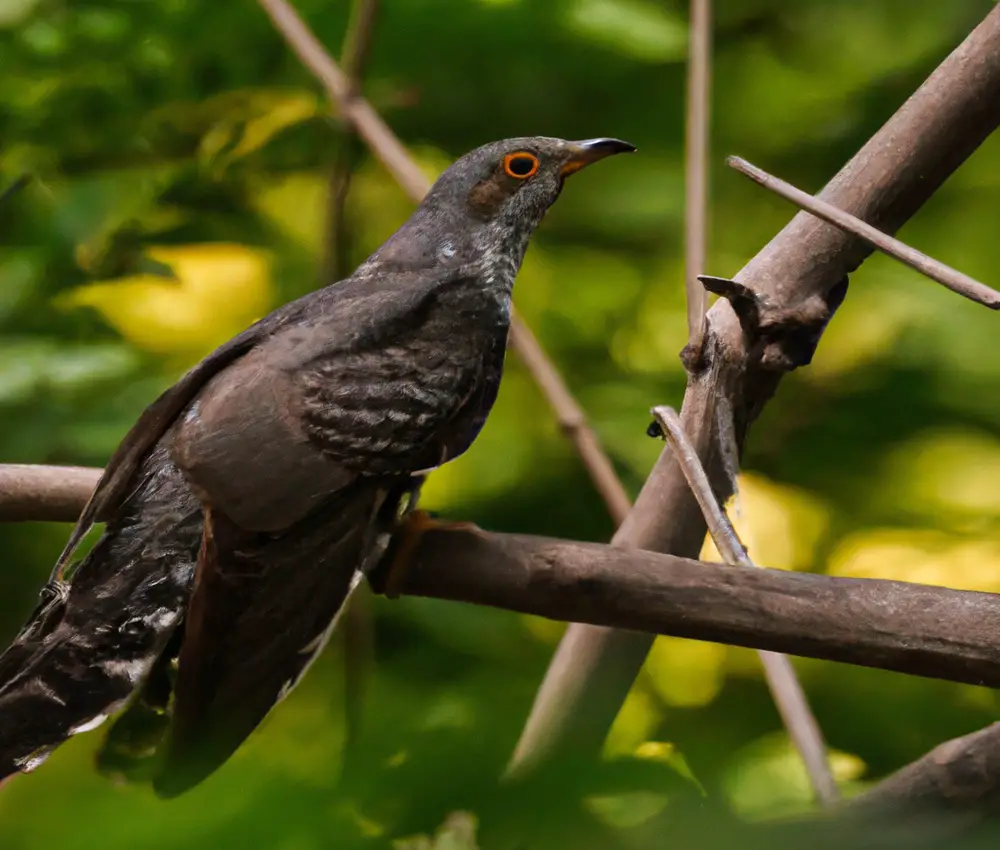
x=249, y=498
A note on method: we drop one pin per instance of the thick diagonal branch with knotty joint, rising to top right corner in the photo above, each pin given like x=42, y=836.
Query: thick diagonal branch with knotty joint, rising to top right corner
x=778, y=310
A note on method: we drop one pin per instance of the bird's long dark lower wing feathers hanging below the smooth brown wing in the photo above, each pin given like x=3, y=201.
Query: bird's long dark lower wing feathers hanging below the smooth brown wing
x=262, y=610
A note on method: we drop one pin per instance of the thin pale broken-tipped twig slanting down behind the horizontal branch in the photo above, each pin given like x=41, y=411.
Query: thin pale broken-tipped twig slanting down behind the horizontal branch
x=785, y=687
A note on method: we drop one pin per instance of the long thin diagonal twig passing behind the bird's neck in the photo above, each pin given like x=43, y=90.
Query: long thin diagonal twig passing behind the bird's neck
x=397, y=160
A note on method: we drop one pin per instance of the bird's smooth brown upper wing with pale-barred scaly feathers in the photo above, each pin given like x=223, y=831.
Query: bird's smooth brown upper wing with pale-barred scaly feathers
x=354, y=389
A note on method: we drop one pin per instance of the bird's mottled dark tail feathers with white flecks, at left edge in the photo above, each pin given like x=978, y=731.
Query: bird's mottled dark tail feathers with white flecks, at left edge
x=89, y=644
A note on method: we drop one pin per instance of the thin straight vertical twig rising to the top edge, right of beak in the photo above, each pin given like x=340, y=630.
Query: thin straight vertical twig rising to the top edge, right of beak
x=699, y=111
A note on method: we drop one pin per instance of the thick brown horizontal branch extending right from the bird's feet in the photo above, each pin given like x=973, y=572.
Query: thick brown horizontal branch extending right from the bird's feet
x=909, y=628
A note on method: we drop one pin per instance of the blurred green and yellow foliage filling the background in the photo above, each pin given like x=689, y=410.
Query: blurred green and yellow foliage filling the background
x=181, y=157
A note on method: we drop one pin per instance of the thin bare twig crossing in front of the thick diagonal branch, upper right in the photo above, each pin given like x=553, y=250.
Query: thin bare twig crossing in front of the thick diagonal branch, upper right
x=948, y=277
